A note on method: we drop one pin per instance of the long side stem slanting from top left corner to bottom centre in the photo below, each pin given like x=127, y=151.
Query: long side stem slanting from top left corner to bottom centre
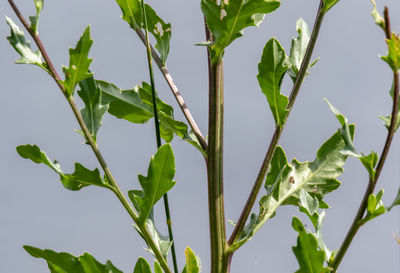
x=115, y=188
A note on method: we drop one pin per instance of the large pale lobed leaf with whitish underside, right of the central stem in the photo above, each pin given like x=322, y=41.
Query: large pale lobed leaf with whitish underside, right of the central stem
x=299, y=183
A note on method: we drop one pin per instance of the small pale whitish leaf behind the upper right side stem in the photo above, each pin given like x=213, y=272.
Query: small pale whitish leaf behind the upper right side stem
x=298, y=48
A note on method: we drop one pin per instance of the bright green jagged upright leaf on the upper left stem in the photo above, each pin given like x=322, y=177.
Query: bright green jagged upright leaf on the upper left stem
x=79, y=63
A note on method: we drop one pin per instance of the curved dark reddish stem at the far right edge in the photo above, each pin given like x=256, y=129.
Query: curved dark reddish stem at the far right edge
x=356, y=224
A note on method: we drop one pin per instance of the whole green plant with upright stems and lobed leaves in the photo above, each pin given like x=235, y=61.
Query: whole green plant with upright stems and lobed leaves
x=301, y=184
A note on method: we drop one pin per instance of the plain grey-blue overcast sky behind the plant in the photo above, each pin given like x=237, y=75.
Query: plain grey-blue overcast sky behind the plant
x=36, y=210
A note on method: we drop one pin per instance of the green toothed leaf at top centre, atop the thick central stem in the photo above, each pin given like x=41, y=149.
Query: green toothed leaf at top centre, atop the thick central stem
x=227, y=20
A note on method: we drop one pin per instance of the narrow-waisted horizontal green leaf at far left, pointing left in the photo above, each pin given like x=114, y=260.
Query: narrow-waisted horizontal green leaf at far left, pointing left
x=80, y=178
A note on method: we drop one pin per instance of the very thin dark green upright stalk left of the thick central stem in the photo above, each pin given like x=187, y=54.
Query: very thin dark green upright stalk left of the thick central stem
x=158, y=136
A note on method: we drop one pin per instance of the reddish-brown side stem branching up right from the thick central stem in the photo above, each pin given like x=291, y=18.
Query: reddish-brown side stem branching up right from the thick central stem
x=278, y=131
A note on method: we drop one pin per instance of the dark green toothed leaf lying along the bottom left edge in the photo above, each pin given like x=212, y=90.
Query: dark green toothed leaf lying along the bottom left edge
x=66, y=263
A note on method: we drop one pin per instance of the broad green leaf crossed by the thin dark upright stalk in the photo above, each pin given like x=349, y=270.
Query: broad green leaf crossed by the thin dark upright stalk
x=136, y=106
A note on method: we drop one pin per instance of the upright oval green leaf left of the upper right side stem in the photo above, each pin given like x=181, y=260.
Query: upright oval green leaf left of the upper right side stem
x=271, y=70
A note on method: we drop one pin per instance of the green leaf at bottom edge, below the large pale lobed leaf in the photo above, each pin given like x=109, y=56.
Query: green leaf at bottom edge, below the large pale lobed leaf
x=309, y=256
